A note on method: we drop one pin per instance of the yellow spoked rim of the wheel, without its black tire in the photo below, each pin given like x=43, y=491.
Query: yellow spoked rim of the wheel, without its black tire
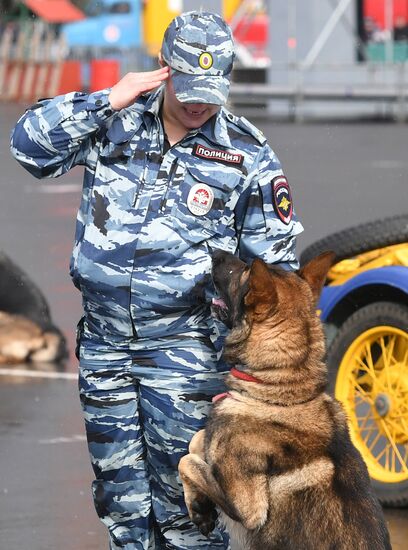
x=372, y=372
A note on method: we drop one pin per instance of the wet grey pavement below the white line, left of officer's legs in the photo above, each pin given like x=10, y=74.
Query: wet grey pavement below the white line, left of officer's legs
x=45, y=474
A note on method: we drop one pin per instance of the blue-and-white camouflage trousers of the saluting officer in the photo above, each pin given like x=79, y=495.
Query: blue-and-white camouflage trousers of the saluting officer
x=142, y=403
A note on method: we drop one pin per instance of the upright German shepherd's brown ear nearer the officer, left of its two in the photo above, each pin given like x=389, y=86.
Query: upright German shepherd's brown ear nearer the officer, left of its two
x=262, y=293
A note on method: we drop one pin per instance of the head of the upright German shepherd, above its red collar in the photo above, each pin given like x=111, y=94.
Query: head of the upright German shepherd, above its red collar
x=267, y=307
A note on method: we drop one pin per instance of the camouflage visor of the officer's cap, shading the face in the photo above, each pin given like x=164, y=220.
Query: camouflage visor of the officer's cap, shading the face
x=191, y=88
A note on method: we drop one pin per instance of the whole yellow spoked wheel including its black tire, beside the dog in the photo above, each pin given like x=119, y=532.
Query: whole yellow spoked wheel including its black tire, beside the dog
x=370, y=360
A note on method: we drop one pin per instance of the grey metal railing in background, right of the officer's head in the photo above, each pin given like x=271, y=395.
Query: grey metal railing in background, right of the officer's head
x=376, y=84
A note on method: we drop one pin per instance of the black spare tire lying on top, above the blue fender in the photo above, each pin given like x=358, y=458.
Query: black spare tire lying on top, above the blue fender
x=361, y=238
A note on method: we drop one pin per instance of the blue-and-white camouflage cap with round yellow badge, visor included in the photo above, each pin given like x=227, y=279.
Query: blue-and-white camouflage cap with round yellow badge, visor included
x=198, y=46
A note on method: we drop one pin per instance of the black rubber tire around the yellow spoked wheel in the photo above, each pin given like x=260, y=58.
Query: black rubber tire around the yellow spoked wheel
x=376, y=314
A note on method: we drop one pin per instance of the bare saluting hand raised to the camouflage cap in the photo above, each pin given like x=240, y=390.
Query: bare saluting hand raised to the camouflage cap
x=129, y=88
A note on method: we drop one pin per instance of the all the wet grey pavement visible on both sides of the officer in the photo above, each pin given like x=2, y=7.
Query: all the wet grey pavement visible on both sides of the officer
x=342, y=175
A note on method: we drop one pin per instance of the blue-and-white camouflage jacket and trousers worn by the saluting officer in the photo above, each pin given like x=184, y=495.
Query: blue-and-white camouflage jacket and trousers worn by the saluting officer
x=149, y=350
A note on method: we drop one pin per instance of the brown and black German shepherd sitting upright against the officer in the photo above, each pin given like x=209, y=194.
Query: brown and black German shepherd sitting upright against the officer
x=276, y=457
